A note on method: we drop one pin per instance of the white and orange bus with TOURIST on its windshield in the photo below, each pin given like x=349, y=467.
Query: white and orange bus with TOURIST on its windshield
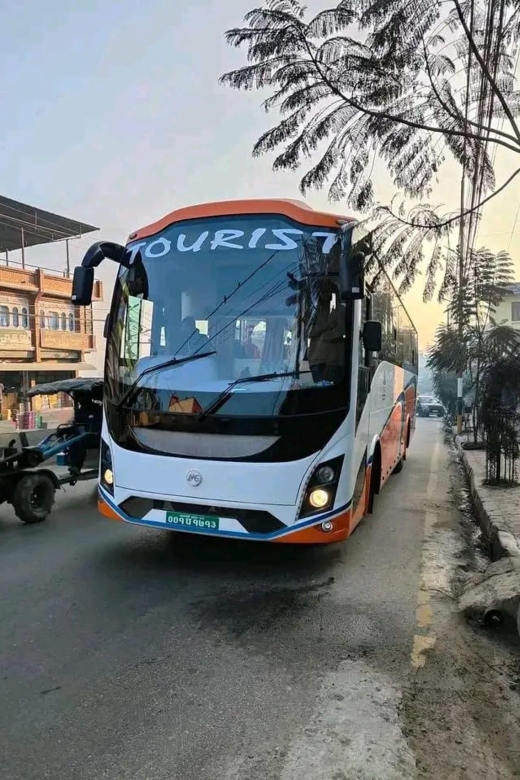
x=257, y=386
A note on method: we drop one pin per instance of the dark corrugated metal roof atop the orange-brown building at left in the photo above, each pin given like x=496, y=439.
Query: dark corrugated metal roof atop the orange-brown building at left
x=21, y=224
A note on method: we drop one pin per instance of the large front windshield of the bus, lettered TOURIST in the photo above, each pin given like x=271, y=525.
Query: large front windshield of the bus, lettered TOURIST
x=258, y=293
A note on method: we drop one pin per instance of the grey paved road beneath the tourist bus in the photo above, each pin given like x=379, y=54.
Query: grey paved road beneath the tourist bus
x=134, y=654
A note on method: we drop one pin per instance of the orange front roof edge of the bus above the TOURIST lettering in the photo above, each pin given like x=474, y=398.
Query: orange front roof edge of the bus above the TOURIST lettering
x=294, y=209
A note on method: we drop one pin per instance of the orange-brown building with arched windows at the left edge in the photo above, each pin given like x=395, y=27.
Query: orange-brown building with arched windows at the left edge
x=43, y=337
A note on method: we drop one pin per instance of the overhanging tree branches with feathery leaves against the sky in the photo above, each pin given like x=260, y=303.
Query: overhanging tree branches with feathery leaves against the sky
x=408, y=82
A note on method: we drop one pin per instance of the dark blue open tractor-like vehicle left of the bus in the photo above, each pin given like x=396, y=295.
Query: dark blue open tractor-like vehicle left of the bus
x=30, y=475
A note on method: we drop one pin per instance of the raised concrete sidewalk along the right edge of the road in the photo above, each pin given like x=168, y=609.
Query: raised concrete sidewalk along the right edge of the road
x=497, y=590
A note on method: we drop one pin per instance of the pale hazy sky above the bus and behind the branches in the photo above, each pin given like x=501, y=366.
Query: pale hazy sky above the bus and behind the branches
x=111, y=113
